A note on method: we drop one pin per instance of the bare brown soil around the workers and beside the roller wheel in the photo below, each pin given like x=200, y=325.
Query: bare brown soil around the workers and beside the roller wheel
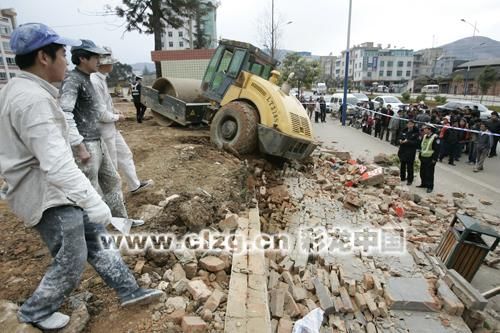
x=180, y=161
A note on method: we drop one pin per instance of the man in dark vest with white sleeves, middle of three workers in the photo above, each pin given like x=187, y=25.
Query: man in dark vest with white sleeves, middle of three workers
x=83, y=110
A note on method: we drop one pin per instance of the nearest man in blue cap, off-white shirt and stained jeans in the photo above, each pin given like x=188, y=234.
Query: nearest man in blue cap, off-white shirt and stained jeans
x=45, y=187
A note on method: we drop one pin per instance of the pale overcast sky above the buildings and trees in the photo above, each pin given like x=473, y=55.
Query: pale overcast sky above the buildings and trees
x=318, y=26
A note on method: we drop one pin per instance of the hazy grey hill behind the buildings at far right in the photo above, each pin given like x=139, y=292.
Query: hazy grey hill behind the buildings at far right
x=473, y=48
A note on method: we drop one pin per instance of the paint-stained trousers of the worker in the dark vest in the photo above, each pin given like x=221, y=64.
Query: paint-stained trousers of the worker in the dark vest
x=104, y=177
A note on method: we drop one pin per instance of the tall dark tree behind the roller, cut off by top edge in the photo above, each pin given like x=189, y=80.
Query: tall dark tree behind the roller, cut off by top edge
x=152, y=16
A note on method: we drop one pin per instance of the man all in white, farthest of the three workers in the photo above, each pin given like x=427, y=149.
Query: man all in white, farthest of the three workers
x=119, y=152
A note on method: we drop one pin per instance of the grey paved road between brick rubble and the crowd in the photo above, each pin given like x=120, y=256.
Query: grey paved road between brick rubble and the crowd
x=448, y=179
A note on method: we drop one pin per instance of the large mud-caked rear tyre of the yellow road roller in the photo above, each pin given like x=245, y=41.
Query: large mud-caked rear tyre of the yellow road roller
x=235, y=126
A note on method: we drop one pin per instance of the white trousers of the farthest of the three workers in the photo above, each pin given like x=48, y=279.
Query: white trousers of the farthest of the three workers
x=122, y=159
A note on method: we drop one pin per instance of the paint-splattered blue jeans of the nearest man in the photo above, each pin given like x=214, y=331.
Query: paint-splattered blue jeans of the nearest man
x=72, y=241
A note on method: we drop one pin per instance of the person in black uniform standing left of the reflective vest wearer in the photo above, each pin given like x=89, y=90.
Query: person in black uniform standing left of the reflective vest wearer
x=408, y=144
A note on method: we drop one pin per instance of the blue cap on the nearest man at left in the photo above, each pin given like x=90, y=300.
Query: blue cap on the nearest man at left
x=33, y=36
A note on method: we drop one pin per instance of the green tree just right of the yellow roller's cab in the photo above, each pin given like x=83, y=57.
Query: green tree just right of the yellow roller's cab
x=306, y=72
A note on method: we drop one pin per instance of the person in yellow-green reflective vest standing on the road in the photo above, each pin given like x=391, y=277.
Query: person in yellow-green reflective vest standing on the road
x=429, y=152
